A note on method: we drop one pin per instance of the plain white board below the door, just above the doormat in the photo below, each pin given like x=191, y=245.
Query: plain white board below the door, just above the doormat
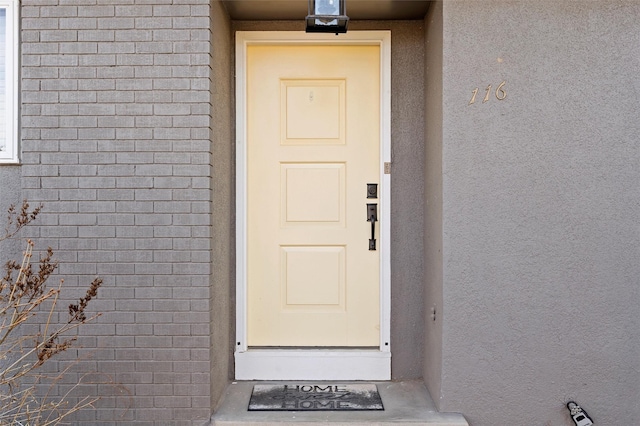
x=313, y=364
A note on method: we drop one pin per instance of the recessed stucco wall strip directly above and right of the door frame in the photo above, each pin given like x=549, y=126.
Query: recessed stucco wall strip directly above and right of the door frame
x=407, y=152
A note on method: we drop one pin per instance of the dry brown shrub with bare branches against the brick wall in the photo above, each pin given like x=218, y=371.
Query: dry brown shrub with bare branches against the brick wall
x=24, y=299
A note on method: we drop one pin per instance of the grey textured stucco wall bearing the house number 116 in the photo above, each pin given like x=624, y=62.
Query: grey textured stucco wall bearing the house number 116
x=540, y=211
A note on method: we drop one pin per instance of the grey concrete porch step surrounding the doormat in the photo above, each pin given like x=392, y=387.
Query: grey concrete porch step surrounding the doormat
x=404, y=402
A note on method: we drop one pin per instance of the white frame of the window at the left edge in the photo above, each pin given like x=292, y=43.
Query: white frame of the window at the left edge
x=9, y=146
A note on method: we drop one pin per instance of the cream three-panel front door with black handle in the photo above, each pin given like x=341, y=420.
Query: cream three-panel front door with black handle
x=313, y=145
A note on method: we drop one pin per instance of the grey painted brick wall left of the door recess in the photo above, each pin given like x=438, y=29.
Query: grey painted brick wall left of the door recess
x=116, y=119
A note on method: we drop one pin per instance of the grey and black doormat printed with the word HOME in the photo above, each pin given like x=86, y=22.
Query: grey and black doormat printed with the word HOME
x=315, y=397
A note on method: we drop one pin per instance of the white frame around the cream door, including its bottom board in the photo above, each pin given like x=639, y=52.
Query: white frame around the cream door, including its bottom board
x=329, y=364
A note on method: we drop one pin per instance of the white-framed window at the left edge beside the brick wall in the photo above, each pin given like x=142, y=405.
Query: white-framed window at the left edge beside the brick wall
x=8, y=82
